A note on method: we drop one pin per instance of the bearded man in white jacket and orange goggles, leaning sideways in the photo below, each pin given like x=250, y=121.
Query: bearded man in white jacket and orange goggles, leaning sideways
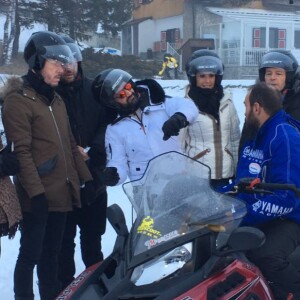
x=147, y=125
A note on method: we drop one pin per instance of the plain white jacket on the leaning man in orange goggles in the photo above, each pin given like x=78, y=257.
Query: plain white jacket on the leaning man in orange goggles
x=132, y=142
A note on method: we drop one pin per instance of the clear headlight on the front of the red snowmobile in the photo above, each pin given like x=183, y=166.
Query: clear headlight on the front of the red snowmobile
x=163, y=266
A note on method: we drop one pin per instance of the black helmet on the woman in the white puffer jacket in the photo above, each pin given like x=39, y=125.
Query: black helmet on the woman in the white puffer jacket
x=205, y=64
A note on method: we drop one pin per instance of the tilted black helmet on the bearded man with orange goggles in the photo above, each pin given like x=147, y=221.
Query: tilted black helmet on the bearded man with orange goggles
x=109, y=82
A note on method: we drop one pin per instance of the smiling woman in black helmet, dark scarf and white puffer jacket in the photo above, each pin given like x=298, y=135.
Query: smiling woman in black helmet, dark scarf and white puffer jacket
x=214, y=137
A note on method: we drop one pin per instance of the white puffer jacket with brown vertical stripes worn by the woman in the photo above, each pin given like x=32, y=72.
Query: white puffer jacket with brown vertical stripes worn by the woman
x=215, y=145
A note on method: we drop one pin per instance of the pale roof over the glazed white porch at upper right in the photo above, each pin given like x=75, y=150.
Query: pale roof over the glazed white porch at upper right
x=250, y=14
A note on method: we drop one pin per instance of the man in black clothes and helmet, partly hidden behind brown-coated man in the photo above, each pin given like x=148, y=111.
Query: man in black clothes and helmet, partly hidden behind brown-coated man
x=88, y=123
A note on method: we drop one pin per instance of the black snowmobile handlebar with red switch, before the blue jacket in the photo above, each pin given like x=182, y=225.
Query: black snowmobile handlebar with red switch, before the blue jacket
x=250, y=185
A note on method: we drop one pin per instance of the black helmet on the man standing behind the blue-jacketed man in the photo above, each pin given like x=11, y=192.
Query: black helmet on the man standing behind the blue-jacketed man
x=280, y=58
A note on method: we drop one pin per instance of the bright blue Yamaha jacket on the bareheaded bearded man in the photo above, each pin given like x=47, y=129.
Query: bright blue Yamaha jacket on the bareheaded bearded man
x=274, y=157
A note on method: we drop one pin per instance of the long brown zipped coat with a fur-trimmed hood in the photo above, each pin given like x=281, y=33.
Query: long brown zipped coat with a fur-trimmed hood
x=49, y=159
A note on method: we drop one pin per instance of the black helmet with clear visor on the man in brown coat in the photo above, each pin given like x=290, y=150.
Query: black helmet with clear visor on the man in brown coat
x=45, y=45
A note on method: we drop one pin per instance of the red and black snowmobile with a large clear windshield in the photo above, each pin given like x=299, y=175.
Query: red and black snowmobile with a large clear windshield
x=185, y=242
